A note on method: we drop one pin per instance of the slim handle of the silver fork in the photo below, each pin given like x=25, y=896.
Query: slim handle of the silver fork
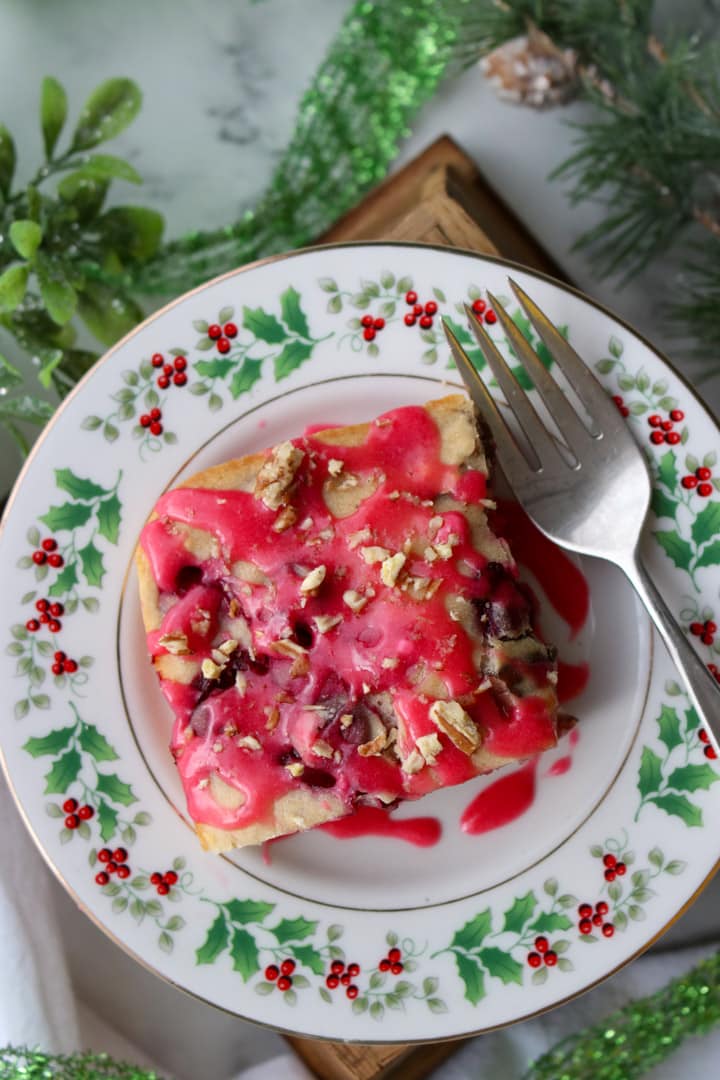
x=703, y=691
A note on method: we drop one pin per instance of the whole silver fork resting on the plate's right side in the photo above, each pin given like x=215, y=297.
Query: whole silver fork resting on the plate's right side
x=593, y=494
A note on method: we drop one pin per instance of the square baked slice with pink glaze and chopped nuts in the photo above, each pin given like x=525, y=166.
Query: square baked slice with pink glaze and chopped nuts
x=335, y=624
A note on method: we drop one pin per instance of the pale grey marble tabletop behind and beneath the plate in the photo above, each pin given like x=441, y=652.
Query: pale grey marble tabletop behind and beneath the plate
x=222, y=84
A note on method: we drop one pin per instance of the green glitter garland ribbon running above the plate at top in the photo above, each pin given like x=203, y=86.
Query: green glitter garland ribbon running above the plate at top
x=386, y=62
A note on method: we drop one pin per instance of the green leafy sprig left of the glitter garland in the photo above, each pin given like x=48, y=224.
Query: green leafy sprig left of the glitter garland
x=51, y=229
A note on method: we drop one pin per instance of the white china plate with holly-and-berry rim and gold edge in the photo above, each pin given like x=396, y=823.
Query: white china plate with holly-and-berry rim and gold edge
x=473, y=908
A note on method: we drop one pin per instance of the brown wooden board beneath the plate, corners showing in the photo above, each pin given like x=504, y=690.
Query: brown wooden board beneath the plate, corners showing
x=440, y=198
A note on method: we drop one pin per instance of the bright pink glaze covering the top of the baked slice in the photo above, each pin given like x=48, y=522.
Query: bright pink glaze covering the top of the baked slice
x=402, y=455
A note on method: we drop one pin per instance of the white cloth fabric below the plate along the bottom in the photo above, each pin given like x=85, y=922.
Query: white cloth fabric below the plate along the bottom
x=65, y=988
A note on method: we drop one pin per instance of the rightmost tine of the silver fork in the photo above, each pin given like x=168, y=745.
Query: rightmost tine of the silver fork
x=606, y=418
